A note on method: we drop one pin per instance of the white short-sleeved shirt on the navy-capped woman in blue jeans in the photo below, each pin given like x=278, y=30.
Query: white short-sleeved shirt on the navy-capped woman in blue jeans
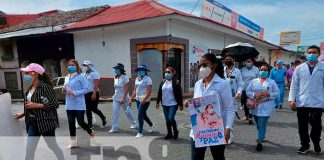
x=141, y=85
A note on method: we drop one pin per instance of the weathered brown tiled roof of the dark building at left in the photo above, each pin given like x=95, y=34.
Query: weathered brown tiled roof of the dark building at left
x=56, y=19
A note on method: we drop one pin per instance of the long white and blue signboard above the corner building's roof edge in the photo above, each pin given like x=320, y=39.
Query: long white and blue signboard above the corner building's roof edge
x=221, y=14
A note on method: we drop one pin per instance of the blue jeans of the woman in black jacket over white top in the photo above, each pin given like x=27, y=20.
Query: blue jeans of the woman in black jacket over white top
x=169, y=114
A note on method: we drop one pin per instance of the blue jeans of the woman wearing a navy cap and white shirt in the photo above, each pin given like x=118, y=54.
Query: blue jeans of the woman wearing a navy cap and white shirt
x=142, y=115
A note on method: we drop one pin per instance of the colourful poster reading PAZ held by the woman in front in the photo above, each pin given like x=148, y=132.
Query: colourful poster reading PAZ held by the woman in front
x=206, y=121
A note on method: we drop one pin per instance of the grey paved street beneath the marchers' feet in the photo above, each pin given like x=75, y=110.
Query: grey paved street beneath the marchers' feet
x=282, y=138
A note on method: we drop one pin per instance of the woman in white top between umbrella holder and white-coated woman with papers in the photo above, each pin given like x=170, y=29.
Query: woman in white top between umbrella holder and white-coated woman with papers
x=248, y=72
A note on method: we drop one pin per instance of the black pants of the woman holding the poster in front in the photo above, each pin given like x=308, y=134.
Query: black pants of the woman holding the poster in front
x=218, y=152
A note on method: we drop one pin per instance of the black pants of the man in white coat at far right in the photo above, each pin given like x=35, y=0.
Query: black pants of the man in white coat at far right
x=313, y=117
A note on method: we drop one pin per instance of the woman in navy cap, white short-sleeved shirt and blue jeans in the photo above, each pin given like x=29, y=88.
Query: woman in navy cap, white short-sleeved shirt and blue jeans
x=142, y=92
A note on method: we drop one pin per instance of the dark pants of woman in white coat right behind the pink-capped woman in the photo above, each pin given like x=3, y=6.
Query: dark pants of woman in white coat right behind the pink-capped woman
x=79, y=115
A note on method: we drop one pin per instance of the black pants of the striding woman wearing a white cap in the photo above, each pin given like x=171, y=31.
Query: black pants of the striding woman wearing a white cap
x=92, y=106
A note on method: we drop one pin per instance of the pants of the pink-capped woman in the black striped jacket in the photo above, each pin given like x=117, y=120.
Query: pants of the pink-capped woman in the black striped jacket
x=33, y=138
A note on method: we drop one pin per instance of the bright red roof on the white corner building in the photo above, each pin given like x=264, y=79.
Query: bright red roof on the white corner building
x=141, y=9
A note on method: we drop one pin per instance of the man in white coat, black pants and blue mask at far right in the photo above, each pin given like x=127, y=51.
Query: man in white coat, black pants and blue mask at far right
x=307, y=96
